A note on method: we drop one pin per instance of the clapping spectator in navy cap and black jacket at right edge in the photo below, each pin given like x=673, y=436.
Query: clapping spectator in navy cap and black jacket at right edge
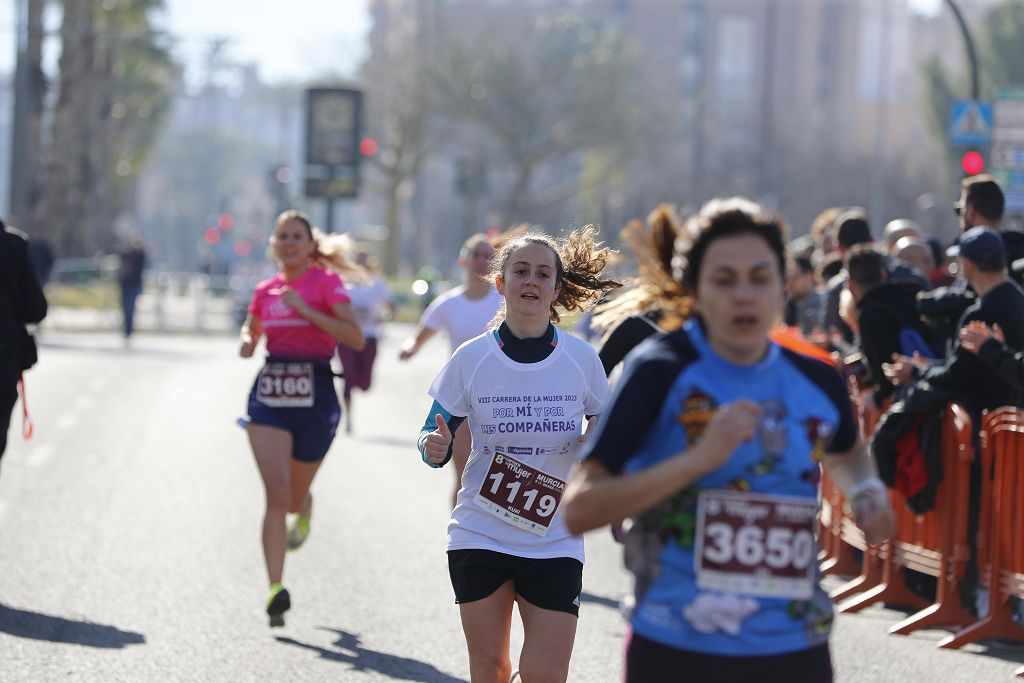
x=983, y=261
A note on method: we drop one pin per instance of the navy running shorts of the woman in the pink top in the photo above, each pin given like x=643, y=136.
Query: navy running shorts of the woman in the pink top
x=313, y=429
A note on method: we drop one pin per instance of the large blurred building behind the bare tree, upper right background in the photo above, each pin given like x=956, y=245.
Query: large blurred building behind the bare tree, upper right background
x=798, y=104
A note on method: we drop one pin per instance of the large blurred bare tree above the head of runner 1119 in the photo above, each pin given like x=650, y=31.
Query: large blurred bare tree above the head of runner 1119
x=565, y=89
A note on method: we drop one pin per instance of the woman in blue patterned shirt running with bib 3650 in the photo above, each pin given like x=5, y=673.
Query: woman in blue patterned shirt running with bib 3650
x=712, y=445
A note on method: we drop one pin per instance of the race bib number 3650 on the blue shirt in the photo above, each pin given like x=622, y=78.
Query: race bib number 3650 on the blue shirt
x=756, y=545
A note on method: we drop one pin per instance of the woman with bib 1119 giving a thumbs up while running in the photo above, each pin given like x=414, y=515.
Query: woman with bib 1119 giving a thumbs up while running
x=527, y=390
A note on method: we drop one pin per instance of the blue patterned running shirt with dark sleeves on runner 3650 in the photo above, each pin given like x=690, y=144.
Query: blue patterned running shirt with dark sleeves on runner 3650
x=671, y=387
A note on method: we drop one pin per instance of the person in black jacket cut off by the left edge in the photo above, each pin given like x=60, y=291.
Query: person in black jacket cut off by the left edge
x=22, y=302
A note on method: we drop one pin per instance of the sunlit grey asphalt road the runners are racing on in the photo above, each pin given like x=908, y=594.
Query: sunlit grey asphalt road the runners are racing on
x=130, y=539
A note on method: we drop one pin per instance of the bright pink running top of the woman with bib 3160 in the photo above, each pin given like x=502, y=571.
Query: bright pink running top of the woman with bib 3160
x=288, y=334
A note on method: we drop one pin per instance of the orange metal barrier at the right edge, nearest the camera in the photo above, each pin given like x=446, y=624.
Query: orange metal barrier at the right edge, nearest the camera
x=1003, y=444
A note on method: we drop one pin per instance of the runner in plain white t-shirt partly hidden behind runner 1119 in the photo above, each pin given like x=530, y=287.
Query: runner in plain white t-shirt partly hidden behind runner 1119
x=462, y=313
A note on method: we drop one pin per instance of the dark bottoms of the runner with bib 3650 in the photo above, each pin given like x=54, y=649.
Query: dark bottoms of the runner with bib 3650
x=649, y=662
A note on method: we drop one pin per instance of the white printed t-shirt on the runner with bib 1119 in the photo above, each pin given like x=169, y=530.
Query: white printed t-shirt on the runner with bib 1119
x=526, y=419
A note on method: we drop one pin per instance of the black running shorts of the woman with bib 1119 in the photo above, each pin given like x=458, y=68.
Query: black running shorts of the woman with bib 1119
x=549, y=584
